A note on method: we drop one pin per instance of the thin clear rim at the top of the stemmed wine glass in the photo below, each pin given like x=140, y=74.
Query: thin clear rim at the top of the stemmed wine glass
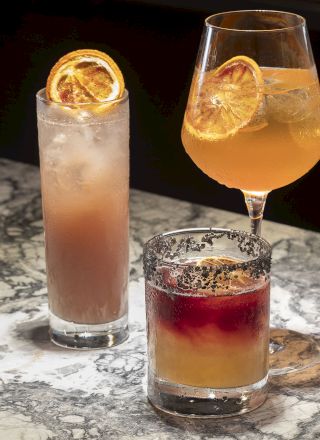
x=302, y=21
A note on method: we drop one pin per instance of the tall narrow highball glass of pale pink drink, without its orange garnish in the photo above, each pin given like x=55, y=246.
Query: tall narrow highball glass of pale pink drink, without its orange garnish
x=84, y=183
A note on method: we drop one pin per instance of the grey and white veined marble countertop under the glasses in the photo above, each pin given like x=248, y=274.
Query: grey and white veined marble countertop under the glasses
x=50, y=393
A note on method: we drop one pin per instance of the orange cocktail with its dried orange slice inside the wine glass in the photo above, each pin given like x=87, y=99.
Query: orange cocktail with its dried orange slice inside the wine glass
x=268, y=140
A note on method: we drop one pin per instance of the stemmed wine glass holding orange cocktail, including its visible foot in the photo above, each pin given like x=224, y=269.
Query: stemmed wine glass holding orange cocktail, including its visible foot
x=252, y=121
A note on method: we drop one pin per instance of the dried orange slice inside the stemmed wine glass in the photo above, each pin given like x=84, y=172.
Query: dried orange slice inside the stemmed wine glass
x=224, y=100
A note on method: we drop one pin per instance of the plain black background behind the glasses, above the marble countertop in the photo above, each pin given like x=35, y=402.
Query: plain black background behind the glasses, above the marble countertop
x=155, y=44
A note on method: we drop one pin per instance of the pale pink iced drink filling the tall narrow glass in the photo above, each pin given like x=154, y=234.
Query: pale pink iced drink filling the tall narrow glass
x=85, y=205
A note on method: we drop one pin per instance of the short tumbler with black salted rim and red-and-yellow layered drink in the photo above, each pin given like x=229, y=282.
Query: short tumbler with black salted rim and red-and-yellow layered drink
x=207, y=302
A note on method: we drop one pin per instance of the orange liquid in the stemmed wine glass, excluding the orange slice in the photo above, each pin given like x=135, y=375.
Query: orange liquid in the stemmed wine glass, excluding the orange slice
x=279, y=145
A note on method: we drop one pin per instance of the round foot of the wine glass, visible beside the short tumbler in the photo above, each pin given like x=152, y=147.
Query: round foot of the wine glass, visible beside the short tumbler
x=291, y=351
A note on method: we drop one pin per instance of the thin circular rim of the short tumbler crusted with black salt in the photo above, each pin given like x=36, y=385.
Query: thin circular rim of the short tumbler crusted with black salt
x=265, y=253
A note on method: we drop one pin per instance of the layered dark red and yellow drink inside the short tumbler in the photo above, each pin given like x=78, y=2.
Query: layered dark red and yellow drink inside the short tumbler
x=207, y=339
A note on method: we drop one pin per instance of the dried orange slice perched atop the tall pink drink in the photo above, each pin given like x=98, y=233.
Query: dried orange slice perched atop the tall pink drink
x=85, y=76
